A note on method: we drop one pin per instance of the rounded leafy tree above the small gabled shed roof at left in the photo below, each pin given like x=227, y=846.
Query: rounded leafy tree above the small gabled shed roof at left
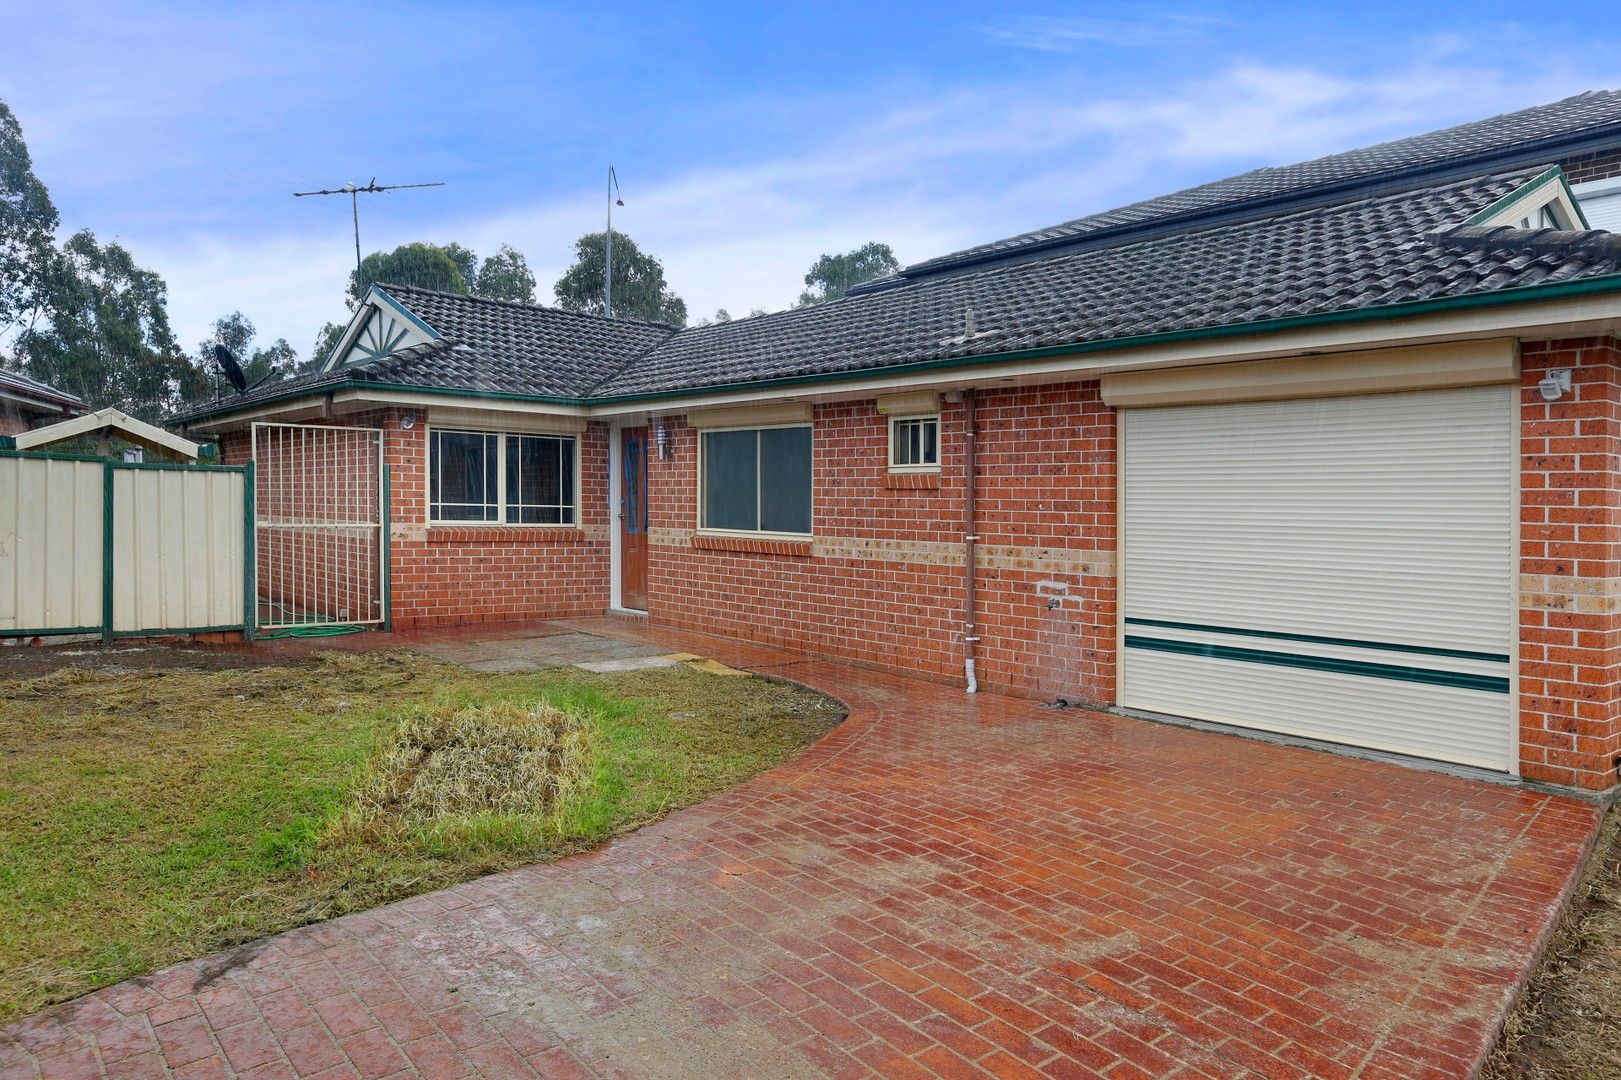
x=105, y=332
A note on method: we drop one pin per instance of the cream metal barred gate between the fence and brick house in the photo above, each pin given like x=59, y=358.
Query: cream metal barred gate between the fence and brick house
x=322, y=534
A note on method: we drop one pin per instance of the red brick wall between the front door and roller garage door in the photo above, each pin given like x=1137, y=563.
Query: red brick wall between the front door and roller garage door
x=883, y=580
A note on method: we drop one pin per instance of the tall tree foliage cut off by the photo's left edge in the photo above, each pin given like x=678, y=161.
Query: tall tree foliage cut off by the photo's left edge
x=28, y=225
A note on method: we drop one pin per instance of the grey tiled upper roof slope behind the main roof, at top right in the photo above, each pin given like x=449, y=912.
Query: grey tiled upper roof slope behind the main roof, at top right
x=1525, y=134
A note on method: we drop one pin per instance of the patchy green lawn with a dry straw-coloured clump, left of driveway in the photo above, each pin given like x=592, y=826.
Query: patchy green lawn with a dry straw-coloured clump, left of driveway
x=153, y=816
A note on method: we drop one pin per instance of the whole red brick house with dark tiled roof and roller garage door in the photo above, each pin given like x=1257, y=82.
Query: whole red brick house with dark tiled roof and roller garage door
x=1327, y=452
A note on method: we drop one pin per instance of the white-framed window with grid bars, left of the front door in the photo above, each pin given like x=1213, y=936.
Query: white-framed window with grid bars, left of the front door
x=502, y=479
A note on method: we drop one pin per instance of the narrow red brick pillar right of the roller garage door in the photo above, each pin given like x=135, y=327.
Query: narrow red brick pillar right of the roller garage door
x=1572, y=578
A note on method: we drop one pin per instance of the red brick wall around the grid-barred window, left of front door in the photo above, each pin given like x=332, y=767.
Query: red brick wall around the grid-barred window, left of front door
x=451, y=575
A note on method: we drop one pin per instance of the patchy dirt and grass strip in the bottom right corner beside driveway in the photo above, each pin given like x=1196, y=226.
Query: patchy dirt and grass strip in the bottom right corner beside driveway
x=1568, y=1024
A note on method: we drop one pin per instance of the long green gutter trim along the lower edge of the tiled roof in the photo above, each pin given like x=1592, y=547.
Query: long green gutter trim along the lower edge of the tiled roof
x=1502, y=298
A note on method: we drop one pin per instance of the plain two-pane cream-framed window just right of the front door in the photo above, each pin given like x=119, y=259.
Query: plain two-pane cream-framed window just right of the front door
x=756, y=481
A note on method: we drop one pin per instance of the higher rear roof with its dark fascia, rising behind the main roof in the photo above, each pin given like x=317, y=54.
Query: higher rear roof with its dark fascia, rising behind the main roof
x=1458, y=147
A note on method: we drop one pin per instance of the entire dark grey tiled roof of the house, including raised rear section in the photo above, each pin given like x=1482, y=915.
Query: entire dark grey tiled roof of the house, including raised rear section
x=1362, y=233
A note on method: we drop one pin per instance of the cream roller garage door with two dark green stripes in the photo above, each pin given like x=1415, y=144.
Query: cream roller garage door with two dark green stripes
x=1333, y=568
